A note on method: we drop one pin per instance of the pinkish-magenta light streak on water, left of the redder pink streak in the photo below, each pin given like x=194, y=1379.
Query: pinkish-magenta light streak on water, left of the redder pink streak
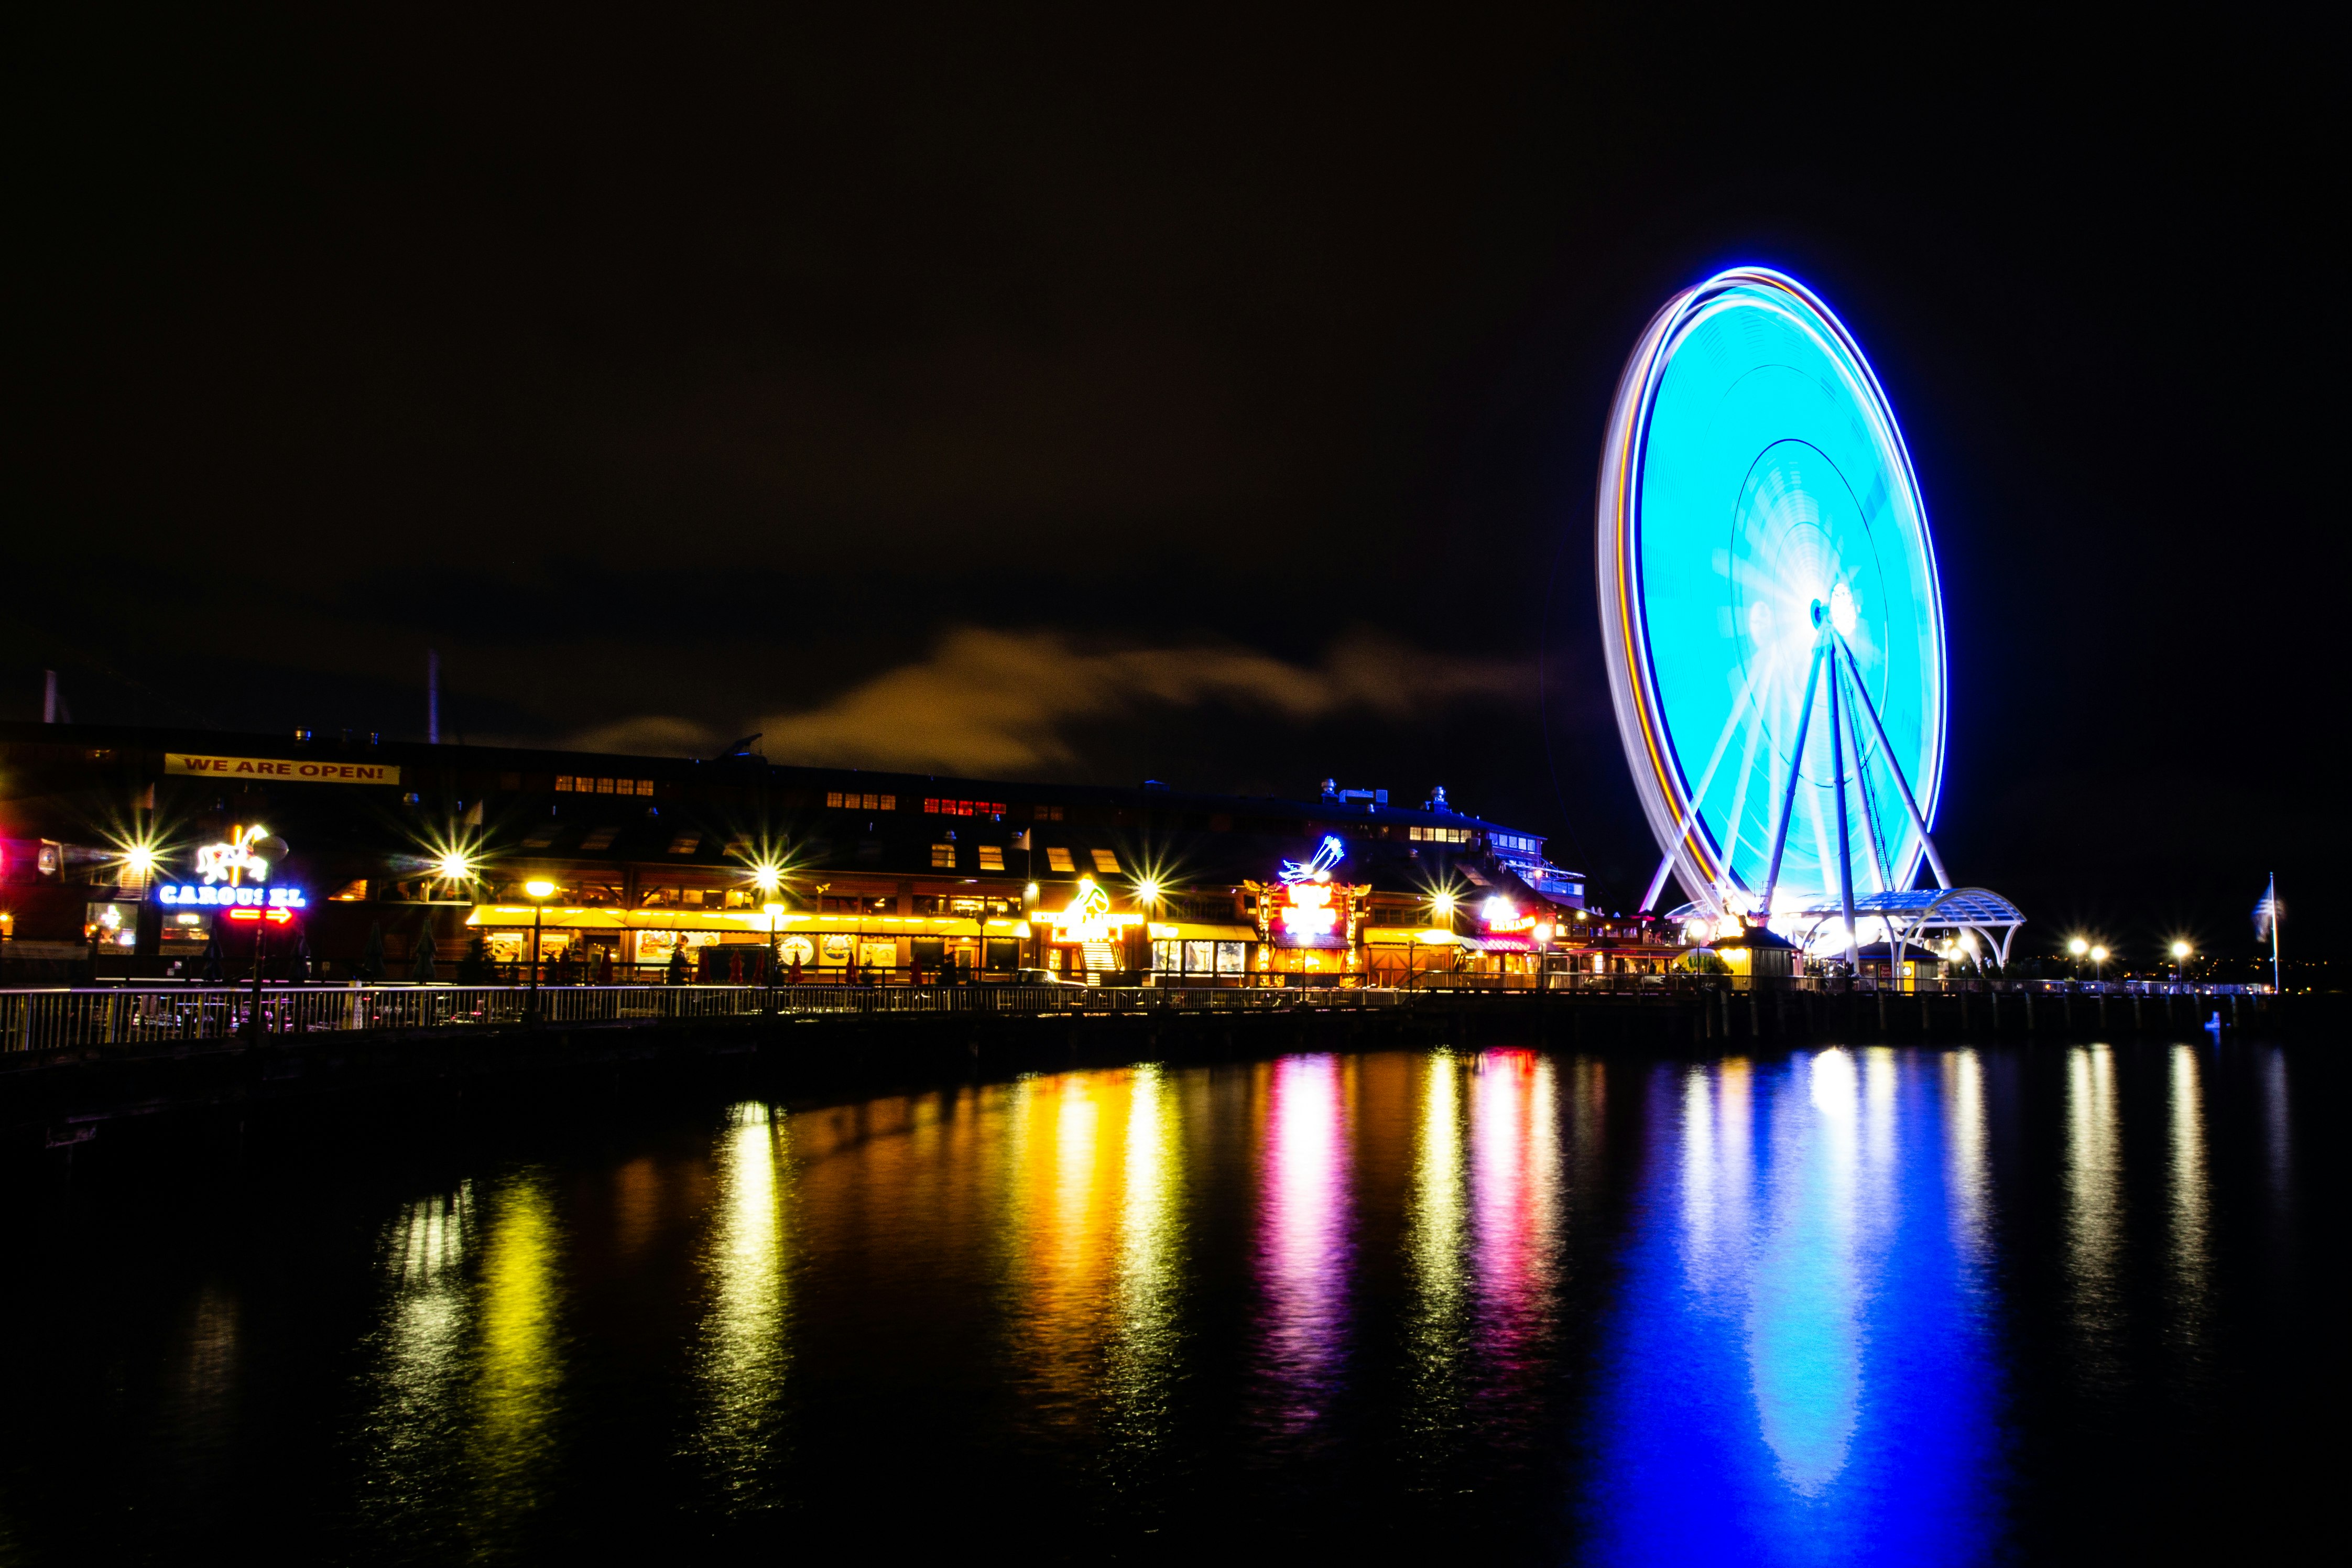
x=1304, y=1240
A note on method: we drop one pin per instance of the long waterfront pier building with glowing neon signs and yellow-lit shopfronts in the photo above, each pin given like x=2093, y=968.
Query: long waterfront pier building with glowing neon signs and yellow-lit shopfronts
x=154, y=852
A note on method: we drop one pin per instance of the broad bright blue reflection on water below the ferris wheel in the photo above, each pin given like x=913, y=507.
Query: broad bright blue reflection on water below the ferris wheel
x=1800, y=1360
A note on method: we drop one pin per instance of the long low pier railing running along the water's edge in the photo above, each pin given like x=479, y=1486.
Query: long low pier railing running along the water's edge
x=166, y=1017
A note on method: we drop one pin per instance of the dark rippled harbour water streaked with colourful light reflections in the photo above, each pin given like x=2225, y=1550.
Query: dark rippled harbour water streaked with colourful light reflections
x=1819, y=1308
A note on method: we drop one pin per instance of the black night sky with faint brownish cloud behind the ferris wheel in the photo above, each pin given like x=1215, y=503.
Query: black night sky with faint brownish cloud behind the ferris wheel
x=1194, y=396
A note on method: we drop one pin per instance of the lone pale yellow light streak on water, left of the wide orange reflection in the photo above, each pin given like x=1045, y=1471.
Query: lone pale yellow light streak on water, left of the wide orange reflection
x=744, y=1355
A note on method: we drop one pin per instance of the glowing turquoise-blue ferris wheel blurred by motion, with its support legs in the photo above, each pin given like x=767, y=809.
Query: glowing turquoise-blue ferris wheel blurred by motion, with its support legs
x=1772, y=619
